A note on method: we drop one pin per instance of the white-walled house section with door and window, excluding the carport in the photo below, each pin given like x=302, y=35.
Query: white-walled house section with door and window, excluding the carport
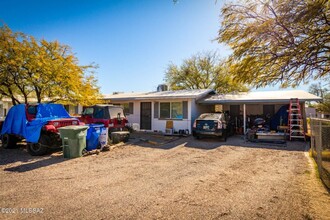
x=152, y=110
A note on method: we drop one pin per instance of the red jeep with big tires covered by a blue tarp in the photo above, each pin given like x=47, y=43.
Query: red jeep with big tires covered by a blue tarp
x=37, y=124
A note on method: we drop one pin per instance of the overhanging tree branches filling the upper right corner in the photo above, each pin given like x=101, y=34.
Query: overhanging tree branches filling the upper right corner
x=282, y=41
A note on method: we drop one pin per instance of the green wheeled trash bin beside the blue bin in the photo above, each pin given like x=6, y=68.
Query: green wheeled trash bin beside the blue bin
x=73, y=140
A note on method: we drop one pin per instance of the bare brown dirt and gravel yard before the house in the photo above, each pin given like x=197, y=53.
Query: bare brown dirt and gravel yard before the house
x=159, y=177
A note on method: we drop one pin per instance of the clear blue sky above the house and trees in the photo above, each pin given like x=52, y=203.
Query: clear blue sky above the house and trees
x=132, y=41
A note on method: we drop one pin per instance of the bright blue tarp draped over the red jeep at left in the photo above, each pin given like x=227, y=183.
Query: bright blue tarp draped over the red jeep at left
x=16, y=122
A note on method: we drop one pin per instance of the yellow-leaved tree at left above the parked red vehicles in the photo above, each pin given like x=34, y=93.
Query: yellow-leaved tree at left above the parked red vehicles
x=47, y=71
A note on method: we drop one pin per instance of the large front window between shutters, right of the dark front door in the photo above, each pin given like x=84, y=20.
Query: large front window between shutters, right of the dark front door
x=172, y=110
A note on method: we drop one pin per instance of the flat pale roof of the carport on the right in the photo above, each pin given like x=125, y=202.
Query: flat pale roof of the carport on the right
x=260, y=97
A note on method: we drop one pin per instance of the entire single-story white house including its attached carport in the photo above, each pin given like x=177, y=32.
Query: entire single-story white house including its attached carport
x=152, y=110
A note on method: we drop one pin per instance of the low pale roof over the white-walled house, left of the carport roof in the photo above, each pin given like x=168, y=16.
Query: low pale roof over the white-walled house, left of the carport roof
x=178, y=94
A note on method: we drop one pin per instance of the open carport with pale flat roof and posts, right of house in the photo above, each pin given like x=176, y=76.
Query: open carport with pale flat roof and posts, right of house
x=243, y=108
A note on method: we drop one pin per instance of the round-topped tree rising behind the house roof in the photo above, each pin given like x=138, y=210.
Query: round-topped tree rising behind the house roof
x=202, y=71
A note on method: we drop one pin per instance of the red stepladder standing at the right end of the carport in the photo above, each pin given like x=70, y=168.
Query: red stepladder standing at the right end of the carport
x=296, y=122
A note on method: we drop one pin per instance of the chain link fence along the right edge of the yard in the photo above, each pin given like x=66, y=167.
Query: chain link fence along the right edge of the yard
x=320, y=146
